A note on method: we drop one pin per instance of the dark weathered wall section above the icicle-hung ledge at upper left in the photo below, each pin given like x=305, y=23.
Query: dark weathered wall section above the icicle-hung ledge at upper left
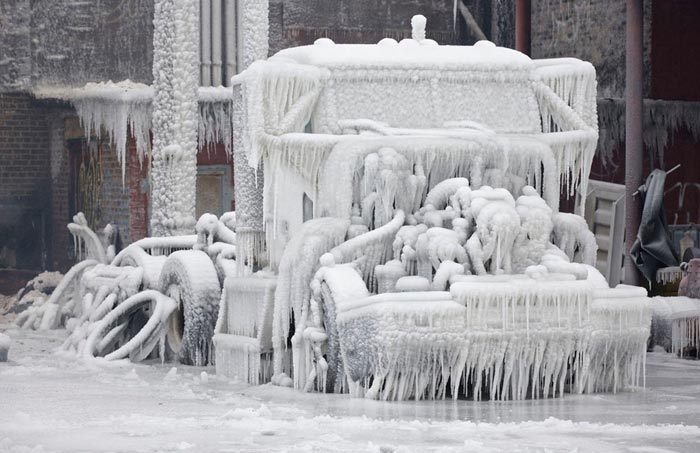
x=66, y=42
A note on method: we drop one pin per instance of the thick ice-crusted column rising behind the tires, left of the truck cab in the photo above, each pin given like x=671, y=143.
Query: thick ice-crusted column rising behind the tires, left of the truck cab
x=175, y=83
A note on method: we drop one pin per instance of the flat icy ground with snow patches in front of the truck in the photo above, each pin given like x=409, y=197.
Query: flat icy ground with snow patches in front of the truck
x=59, y=403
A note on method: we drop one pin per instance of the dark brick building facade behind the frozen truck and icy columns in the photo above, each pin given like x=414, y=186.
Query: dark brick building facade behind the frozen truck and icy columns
x=53, y=169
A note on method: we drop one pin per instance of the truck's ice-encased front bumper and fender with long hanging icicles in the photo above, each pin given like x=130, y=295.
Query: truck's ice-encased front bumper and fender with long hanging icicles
x=512, y=337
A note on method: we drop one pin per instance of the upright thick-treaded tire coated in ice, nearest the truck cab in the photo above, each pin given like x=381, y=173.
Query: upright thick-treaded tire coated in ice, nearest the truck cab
x=189, y=277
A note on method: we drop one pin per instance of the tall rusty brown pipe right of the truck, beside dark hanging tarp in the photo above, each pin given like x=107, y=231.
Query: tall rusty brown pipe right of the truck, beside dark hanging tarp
x=634, y=145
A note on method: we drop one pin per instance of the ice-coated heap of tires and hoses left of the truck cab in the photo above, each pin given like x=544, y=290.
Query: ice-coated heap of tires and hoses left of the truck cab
x=158, y=296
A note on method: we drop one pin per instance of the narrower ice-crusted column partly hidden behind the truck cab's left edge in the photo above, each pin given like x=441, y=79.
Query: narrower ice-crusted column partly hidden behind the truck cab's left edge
x=248, y=190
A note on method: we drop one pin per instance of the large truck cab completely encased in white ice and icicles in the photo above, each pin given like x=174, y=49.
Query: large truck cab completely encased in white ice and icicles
x=412, y=241
